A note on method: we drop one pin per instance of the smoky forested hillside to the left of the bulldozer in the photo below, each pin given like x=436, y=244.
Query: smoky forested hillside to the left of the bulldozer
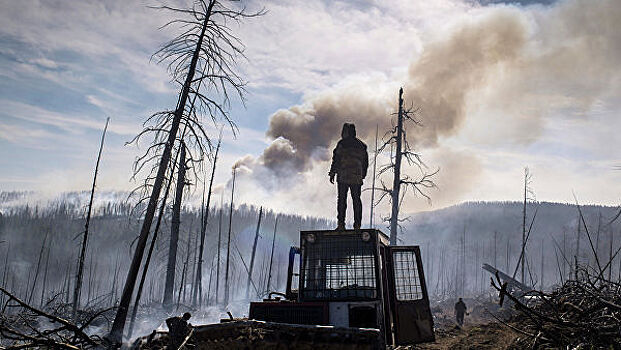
x=40, y=246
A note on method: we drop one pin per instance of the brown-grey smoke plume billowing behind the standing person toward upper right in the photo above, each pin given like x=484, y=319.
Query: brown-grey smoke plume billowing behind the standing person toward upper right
x=505, y=69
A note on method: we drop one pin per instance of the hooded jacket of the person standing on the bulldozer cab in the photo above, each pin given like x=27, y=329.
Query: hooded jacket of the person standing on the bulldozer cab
x=350, y=159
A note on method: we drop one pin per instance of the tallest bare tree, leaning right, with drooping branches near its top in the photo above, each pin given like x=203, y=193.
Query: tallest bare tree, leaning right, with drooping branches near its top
x=202, y=61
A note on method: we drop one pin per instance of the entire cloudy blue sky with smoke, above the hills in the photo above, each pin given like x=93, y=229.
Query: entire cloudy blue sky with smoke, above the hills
x=501, y=85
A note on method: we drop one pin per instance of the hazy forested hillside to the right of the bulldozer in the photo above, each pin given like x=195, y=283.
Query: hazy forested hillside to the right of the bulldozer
x=456, y=241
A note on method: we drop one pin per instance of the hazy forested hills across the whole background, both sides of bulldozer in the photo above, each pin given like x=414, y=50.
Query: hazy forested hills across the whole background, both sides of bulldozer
x=455, y=242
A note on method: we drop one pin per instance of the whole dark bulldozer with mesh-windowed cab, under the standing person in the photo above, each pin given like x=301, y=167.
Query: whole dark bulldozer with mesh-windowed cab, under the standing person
x=345, y=289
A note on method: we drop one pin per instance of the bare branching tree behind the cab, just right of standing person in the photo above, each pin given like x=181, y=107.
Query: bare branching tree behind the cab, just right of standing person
x=400, y=148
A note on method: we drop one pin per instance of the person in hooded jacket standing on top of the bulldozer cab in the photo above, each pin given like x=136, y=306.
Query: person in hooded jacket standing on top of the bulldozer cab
x=350, y=161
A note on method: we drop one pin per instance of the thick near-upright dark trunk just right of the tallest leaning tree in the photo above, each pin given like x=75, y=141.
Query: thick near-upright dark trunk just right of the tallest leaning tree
x=174, y=233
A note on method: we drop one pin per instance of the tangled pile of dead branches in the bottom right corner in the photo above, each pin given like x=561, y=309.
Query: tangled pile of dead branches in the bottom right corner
x=582, y=313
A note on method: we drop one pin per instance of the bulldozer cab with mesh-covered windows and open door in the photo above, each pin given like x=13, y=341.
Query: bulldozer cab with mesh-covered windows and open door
x=361, y=281
